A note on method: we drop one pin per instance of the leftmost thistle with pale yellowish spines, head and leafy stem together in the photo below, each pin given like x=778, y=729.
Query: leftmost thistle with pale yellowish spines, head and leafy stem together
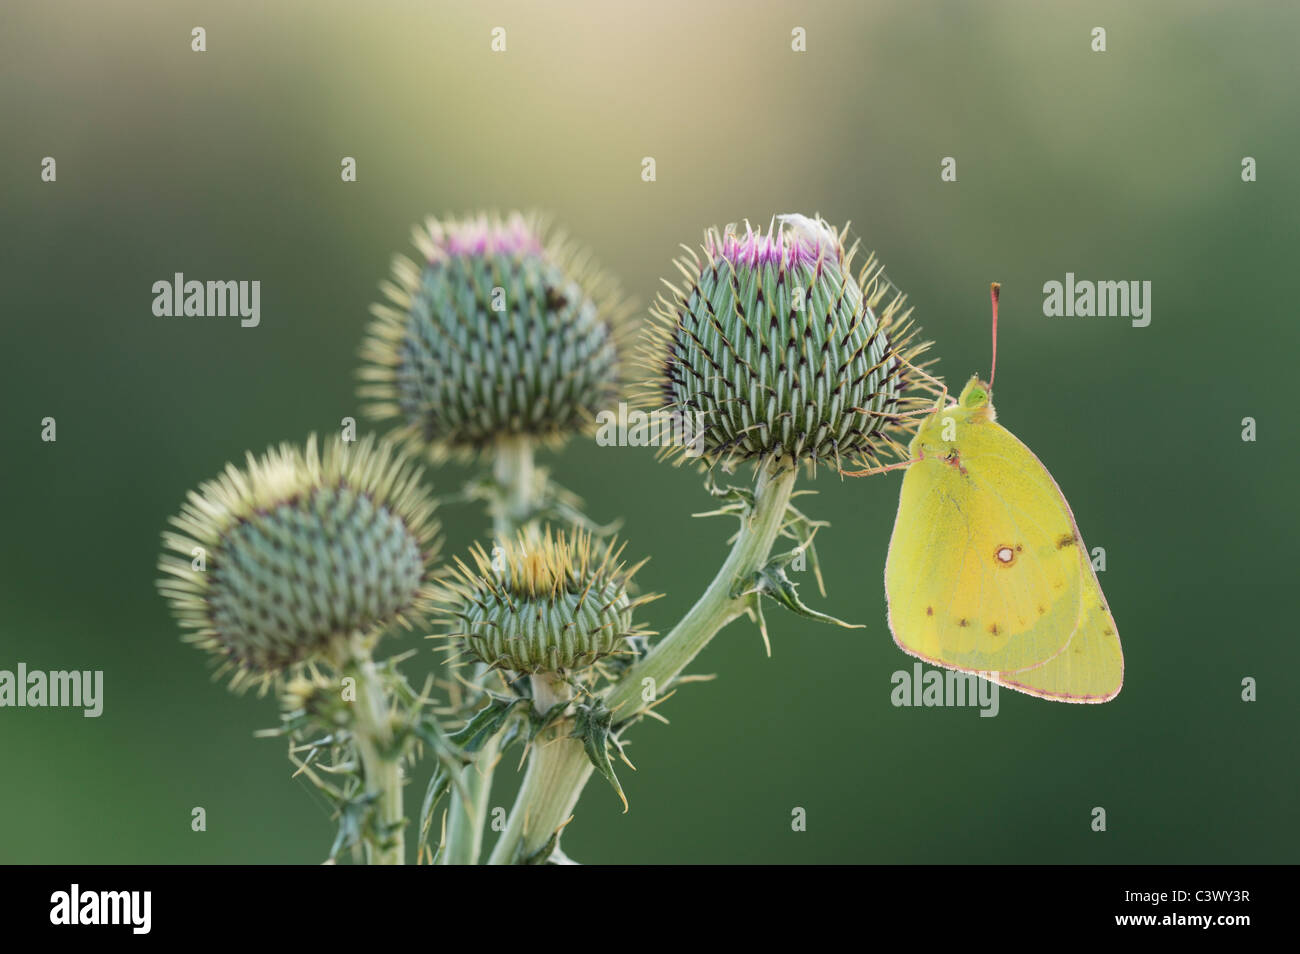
x=294, y=565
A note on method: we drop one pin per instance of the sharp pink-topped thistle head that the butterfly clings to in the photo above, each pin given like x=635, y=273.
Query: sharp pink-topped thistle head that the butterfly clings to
x=779, y=352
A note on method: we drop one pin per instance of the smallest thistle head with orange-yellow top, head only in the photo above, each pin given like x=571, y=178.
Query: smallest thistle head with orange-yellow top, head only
x=543, y=604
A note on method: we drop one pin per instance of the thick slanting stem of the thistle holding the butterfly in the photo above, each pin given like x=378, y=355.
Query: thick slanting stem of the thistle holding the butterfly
x=558, y=769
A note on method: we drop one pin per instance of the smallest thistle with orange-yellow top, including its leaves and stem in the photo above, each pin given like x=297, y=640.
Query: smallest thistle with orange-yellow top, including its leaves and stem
x=556, y=613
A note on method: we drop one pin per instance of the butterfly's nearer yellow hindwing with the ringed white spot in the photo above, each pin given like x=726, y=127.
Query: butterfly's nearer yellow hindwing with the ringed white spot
x=985, y=567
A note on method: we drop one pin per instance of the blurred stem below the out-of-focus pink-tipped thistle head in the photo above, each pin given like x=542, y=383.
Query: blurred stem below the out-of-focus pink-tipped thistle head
x=510, y=513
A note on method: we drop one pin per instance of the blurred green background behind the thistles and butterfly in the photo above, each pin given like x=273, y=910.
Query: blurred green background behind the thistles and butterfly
x=1119, y=166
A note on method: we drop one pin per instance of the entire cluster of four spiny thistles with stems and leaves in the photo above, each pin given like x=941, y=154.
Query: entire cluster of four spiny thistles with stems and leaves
x=499, y=342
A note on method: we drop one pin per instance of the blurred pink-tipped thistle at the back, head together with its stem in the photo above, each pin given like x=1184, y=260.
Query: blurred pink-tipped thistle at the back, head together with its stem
x=502, y=339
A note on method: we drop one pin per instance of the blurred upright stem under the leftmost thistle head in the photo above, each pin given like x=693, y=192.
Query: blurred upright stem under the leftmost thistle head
x=380, y=765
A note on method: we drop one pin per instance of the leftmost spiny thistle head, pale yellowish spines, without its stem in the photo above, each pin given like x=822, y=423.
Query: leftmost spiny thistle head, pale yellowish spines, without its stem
x=280, y=561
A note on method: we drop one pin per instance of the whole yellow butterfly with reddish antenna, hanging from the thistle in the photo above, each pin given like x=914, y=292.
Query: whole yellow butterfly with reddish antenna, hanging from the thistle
x=987, y=571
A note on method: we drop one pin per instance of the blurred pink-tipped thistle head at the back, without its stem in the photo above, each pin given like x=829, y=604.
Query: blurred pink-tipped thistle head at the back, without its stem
x=500, y=332
